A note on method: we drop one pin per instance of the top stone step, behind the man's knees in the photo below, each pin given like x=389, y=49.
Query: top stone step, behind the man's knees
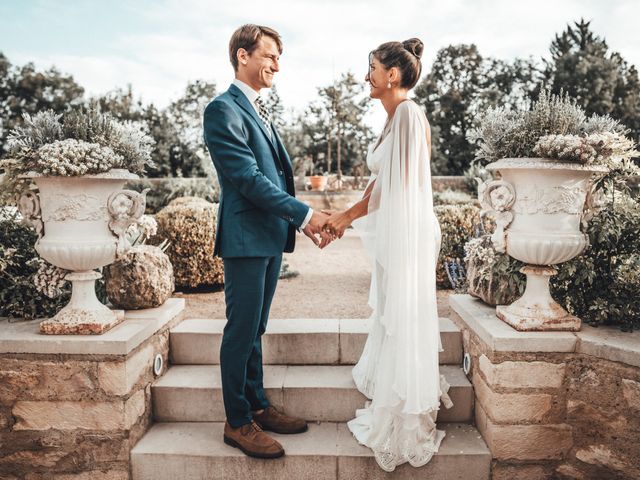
x=300, y=341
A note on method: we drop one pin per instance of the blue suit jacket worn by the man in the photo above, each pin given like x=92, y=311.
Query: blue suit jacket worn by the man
x=258, y=213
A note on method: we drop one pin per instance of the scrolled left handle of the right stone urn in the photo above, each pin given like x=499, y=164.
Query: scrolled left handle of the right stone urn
x=496, y=199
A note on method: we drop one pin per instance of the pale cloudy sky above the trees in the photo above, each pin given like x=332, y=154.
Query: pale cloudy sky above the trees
x=159, y=46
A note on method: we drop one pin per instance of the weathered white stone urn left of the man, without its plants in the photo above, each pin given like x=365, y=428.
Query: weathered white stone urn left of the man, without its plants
x=81, y=223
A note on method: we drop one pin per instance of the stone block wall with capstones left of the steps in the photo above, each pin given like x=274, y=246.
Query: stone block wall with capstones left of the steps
x=73, y=406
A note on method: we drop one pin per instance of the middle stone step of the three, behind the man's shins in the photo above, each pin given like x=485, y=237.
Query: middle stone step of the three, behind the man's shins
x=193, y=393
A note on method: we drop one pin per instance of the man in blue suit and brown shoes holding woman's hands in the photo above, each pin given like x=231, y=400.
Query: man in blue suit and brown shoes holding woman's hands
x=257, y=222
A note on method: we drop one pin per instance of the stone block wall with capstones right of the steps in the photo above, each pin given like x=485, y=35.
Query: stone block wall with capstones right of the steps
x=548, y=404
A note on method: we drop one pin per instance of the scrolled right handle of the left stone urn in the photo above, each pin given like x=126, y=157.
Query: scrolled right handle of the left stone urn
x=126, y=208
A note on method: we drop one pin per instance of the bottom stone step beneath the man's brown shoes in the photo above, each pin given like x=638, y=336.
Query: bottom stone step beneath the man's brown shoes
x=327, y=451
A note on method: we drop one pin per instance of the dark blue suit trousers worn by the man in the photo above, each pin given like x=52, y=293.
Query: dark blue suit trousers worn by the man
x=250, y=283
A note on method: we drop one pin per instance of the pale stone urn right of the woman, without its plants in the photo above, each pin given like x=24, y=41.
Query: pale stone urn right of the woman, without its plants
x=539, y=207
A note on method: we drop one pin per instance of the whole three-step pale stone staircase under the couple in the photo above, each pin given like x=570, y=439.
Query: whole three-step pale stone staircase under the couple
x=308, y=374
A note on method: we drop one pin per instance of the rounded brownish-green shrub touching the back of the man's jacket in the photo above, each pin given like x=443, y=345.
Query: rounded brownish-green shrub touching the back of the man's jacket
x=189, y=224
